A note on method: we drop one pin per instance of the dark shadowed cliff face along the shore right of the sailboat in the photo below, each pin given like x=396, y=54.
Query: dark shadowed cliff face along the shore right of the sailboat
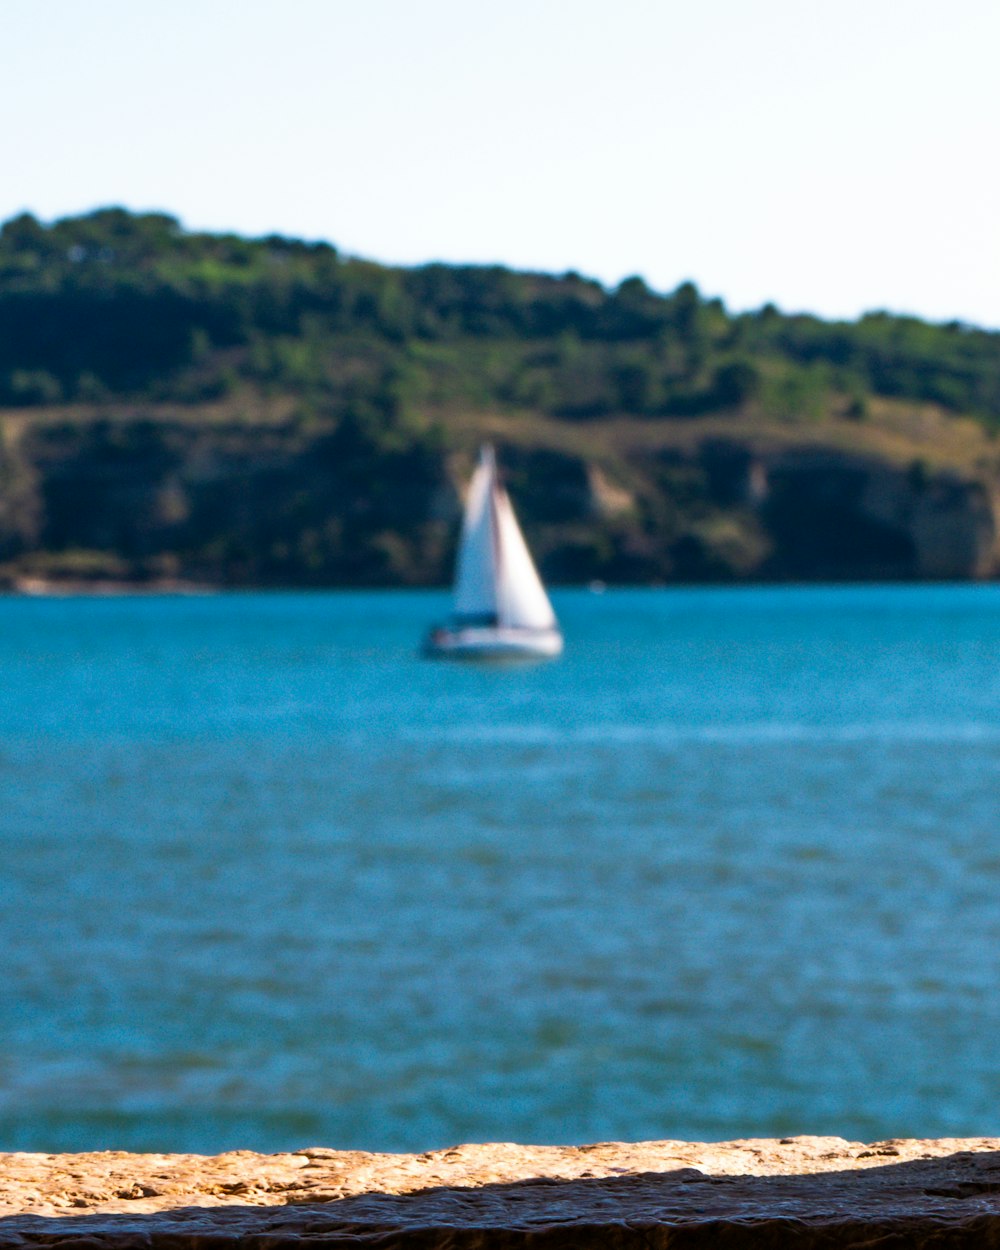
x=727, y=511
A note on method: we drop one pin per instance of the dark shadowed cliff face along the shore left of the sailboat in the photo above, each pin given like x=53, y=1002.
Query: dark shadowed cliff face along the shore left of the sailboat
x=229, y=504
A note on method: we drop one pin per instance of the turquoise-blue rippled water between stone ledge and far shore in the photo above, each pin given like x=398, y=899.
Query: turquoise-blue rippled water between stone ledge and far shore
x=729, y=868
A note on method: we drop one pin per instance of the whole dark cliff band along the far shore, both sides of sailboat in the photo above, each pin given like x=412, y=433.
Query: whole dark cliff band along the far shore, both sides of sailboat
x=288, y=504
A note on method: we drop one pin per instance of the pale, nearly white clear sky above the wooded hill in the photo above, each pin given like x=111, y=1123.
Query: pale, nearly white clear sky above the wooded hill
x=837, y=156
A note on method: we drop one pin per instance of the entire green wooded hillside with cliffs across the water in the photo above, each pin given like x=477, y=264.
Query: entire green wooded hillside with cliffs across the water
x=214, y=409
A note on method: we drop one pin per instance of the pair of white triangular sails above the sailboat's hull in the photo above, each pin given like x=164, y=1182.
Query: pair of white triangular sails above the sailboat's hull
x=497, y=578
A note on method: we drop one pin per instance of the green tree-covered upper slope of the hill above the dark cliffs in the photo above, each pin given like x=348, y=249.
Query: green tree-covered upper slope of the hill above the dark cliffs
x=121, y=304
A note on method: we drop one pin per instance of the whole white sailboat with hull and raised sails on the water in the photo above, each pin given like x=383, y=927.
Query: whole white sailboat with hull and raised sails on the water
x=501, y=607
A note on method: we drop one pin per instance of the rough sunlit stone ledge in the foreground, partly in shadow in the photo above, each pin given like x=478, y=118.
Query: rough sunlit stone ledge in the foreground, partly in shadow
x=798, y=1193
